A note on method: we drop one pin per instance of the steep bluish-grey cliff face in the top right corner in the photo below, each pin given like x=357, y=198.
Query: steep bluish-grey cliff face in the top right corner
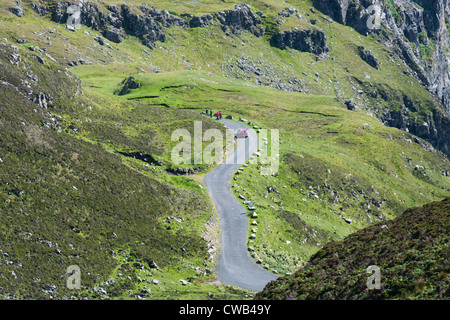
x=421, y=22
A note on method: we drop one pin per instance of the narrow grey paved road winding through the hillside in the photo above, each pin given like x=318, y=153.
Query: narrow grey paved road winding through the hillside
x=235, y=266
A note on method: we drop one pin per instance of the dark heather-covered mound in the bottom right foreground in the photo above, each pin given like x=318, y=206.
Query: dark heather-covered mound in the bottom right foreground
x=412, y=252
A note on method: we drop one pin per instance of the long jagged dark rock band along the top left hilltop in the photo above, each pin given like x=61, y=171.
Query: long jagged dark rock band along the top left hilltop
x=149, y=23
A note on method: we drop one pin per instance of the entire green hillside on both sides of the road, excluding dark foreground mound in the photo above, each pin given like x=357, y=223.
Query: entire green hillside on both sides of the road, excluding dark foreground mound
x=86, y=176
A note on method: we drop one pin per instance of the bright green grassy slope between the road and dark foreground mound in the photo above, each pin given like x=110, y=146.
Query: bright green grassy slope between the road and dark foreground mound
x=367, y=183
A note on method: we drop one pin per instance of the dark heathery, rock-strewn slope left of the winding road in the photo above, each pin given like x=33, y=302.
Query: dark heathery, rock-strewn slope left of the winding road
x=84, y=181
